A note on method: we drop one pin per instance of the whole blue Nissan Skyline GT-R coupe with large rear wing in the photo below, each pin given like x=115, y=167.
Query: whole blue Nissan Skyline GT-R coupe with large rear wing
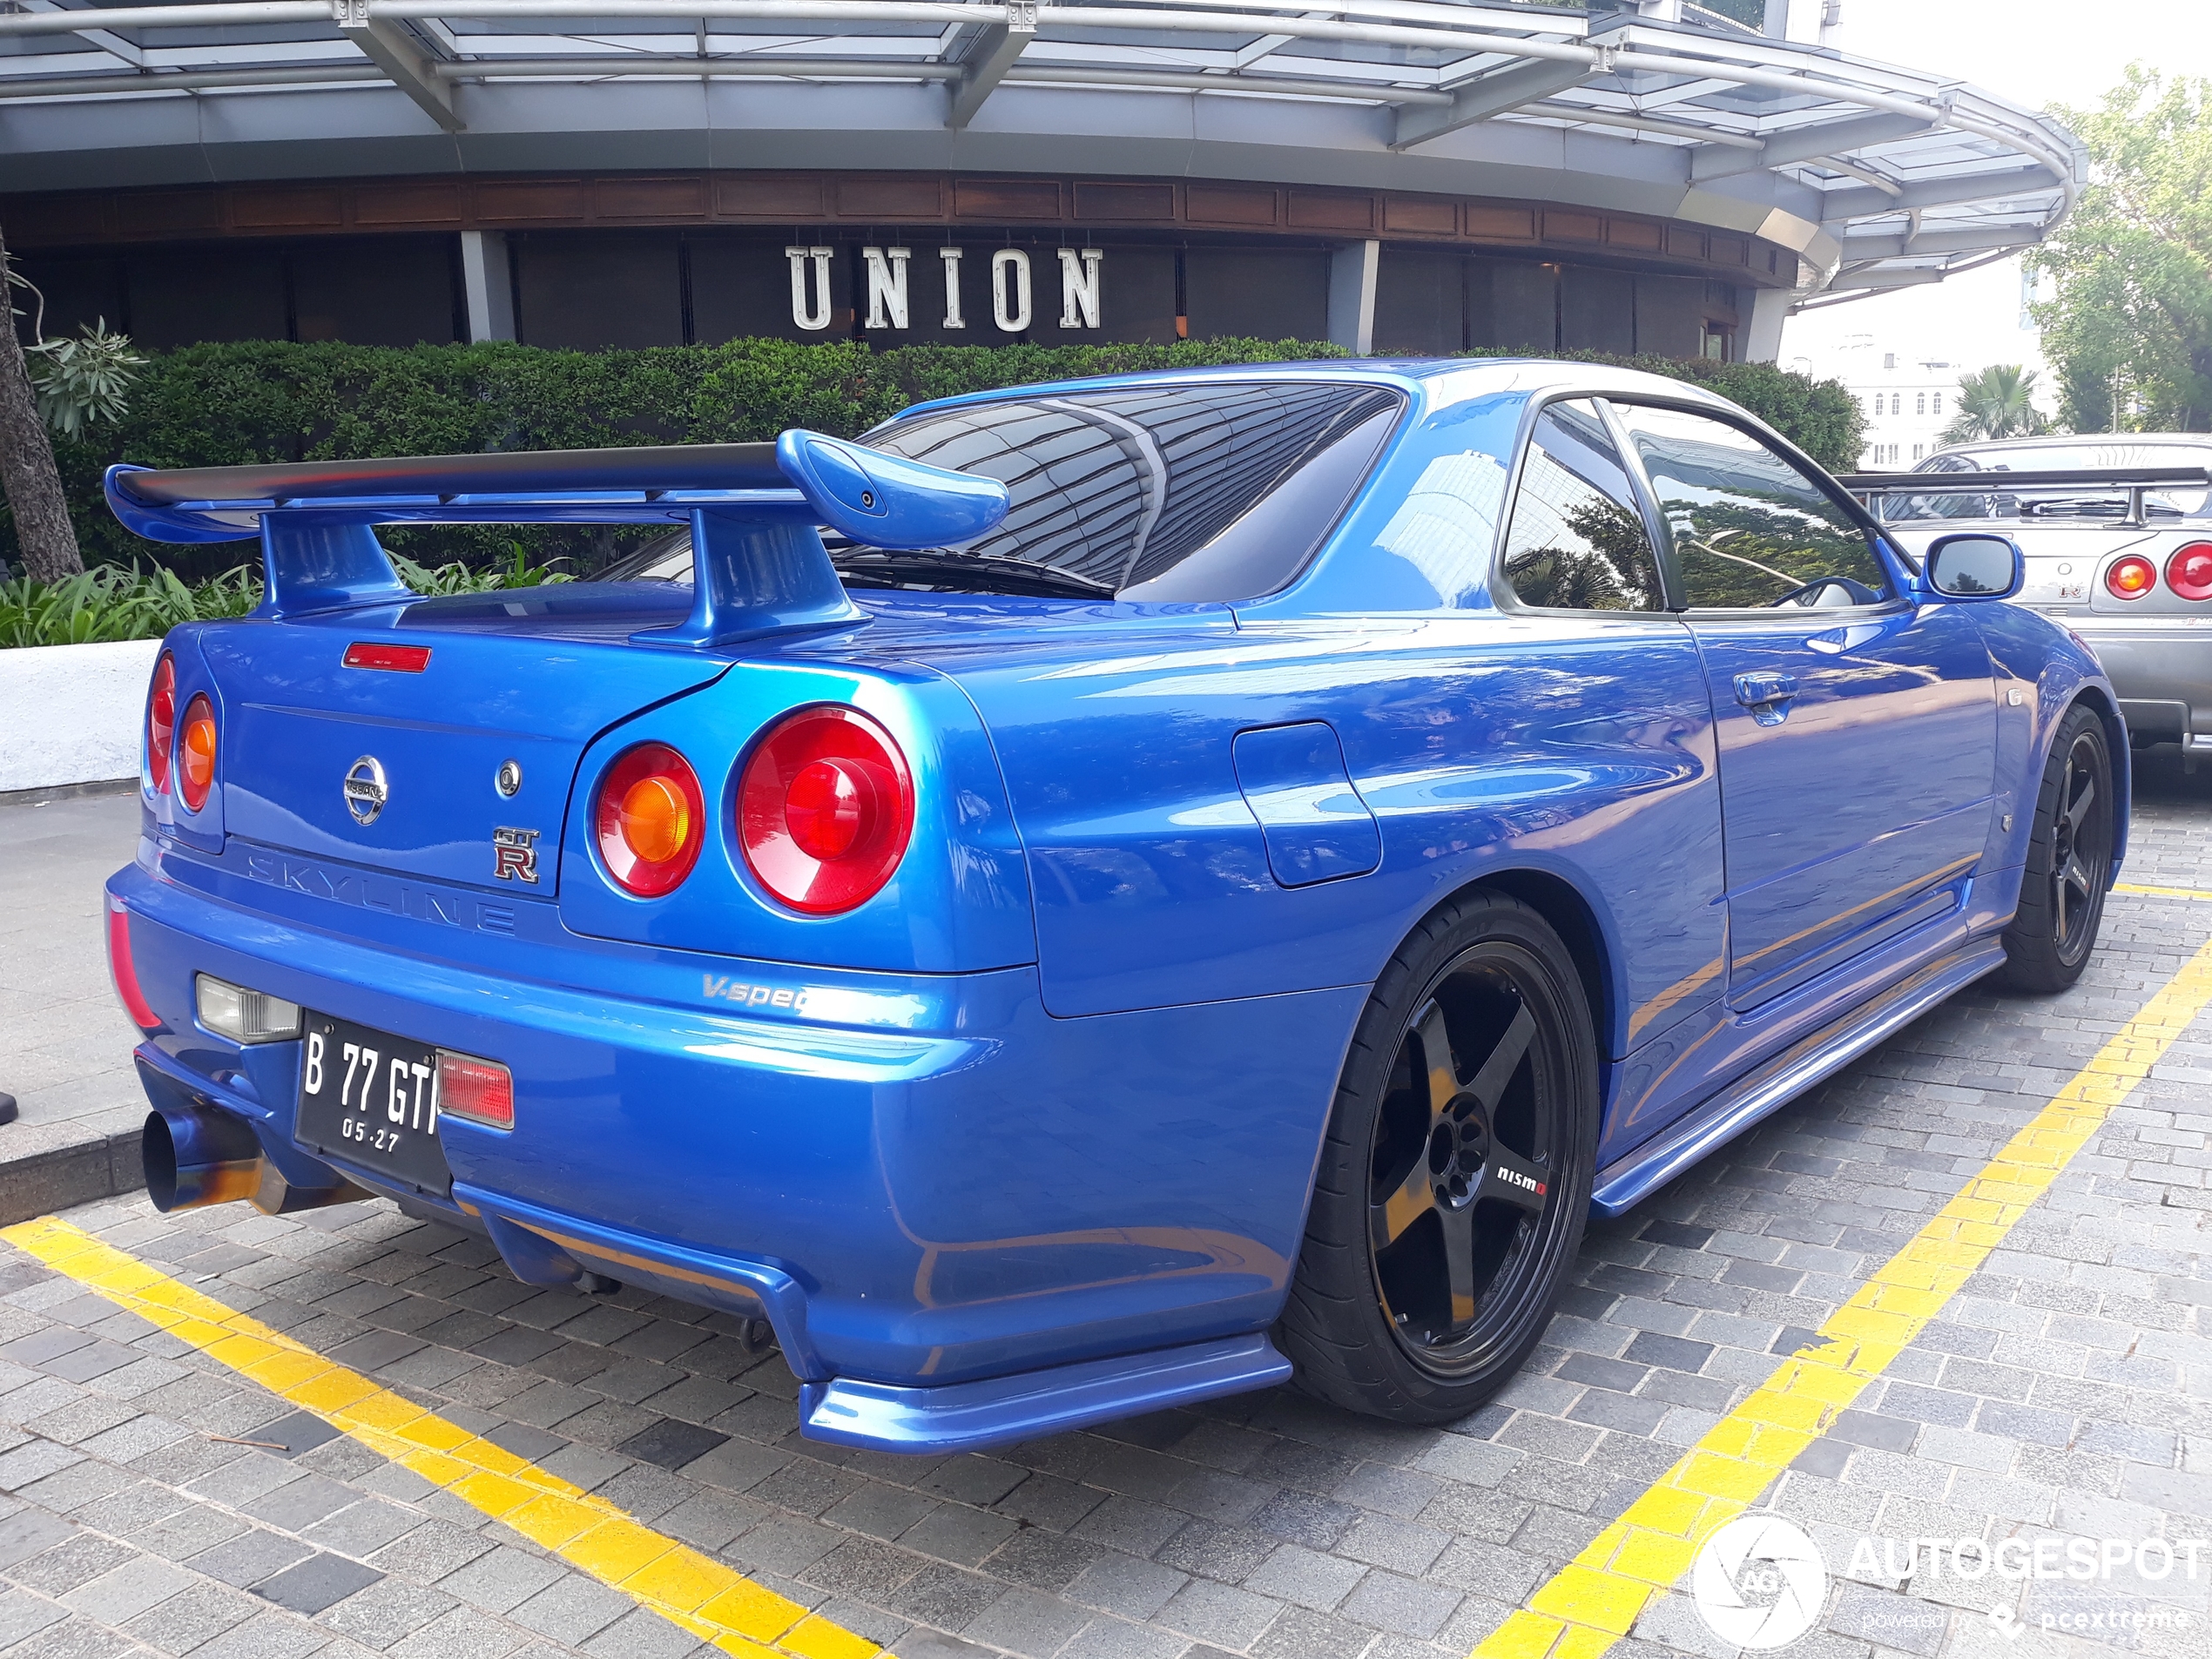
x=1100, y=895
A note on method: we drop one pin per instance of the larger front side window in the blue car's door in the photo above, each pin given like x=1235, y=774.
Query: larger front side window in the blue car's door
x=1749, y=525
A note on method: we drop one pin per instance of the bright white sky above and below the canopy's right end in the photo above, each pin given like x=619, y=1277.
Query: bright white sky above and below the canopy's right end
x=2027, y=52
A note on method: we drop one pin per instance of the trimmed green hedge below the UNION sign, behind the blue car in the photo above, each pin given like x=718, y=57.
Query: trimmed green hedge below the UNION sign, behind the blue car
x=213, y=406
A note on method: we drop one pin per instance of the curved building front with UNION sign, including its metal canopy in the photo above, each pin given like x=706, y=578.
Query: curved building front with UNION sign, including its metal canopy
x=1640, y=176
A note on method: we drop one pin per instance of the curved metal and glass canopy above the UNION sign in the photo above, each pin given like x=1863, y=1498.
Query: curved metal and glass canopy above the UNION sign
x=1875, y=176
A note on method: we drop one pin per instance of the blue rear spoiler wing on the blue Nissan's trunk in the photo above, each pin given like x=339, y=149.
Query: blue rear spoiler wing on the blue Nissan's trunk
x=753, y=510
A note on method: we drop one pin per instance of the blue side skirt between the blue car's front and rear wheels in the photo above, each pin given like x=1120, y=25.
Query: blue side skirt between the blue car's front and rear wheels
x=1791, y=1074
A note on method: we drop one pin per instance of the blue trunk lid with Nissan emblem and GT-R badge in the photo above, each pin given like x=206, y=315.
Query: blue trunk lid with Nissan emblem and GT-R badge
x=523, y=678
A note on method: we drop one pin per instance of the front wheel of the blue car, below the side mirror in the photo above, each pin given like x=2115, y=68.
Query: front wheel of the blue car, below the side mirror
x=2069, y=862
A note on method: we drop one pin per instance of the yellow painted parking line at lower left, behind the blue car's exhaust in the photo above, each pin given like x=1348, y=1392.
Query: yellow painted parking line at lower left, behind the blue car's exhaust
x=685, y=1587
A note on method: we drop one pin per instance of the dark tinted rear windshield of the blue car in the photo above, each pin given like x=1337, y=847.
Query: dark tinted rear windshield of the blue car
x=1162, y=492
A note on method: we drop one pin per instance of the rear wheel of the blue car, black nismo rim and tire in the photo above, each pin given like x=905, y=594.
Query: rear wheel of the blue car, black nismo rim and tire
x=1490, y=1171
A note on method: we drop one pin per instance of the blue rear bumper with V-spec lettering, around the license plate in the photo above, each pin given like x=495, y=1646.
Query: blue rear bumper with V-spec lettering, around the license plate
x=921, y=1182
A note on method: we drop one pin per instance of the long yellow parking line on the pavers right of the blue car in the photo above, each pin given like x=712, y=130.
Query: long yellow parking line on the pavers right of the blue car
x=1596, y=1598
